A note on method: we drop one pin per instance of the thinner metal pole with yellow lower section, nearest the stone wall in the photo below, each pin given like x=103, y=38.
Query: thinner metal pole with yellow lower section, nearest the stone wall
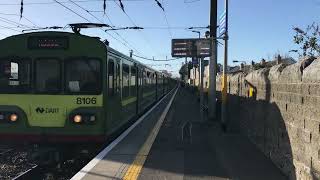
x=225, y=64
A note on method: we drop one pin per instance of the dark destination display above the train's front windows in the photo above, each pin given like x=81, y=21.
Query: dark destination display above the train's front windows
x=40, y=42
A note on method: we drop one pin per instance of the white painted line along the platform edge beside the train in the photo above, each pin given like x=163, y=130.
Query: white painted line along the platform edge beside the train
x=106, y=150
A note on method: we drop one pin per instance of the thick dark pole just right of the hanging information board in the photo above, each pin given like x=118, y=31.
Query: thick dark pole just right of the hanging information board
x=213, y=61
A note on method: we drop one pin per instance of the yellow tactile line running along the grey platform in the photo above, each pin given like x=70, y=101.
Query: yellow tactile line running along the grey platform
x=137, y=165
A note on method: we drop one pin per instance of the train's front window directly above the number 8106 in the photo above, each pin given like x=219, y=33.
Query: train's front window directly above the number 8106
x=83, y=76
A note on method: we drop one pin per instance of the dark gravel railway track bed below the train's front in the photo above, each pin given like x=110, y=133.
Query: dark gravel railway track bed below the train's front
x=40, y=162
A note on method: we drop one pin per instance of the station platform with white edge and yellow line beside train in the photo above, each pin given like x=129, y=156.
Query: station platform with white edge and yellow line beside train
x=171, y=142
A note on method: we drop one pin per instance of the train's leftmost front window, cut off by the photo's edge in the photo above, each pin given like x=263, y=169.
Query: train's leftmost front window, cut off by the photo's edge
x=15, y=76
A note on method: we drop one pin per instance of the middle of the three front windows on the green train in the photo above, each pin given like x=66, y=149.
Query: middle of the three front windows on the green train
x=47, y=76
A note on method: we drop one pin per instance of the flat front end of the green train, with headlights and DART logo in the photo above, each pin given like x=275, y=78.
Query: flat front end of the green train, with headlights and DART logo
x=51, y=88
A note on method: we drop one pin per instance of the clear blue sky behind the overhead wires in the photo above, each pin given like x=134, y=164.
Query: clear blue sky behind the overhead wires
x=257, y=28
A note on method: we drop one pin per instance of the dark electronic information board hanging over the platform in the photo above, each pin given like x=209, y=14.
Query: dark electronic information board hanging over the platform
x=191, y=48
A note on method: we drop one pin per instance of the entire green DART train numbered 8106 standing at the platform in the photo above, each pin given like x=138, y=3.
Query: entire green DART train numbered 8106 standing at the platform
x=67, y=87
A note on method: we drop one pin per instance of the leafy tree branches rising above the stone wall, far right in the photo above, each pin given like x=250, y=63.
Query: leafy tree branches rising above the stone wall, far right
x=308, y=40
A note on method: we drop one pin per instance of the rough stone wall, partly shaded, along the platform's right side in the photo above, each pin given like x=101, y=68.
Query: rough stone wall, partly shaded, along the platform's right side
x=282, y=118
